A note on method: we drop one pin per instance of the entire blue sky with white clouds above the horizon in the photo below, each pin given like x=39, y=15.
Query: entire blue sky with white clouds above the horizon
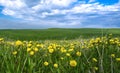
x=35, y=14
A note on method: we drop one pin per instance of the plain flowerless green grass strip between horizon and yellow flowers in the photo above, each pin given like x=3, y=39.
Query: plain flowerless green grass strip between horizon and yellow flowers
x=56, y=33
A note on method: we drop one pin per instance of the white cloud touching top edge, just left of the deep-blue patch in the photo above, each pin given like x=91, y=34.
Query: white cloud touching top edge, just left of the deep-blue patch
x=47, y=4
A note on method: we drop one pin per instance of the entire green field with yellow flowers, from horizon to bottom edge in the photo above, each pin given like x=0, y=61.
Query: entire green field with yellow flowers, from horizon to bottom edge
x=60, y=51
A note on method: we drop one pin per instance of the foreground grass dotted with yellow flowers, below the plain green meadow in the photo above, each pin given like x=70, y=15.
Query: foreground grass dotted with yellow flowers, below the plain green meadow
x=98, y=55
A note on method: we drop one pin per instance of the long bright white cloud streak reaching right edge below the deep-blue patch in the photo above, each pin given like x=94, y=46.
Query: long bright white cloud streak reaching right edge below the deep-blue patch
x=85, y=8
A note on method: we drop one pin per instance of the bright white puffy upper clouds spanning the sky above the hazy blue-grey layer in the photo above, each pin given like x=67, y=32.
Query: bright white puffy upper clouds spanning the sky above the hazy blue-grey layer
x=20, y=8
